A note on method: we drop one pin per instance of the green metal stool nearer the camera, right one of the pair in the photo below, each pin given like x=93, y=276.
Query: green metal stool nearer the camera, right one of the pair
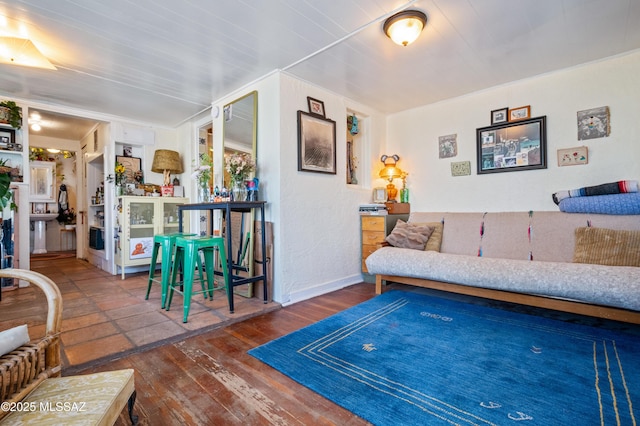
x=189, y=248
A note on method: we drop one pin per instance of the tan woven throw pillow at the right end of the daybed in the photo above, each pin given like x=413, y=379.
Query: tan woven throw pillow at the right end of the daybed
x=607, y=247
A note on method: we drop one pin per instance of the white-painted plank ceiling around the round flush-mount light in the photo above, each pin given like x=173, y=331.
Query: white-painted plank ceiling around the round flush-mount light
x=163, y=61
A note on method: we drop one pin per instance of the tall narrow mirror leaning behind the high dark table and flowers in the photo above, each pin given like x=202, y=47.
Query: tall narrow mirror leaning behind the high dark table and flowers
x=240, y=130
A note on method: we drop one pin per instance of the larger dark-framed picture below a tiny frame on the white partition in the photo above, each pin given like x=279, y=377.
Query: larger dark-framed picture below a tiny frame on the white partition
x=316, y=144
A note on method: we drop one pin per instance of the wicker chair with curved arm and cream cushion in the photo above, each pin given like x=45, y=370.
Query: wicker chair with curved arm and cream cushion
x=31, y=389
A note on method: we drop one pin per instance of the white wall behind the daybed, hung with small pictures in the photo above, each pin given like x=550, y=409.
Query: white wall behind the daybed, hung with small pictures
x=413, y=135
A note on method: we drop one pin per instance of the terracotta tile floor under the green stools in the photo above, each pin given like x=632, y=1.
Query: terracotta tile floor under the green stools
x=105, y=317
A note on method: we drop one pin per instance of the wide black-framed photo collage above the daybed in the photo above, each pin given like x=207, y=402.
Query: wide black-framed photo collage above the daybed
x=511, y=147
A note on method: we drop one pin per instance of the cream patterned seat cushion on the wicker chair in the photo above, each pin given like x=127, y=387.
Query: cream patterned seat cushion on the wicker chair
x=92, y=399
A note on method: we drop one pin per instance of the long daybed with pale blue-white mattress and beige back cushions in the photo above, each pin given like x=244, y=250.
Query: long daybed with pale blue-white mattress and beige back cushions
x=526, y=258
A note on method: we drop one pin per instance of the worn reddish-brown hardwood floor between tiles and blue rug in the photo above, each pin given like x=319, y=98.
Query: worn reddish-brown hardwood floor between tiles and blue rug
x=210, y=379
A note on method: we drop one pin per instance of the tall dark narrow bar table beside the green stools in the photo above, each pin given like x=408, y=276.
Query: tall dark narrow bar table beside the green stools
x=228, y=207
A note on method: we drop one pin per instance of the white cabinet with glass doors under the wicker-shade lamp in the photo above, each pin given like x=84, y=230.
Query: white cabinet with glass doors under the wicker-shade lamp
x=138, y=220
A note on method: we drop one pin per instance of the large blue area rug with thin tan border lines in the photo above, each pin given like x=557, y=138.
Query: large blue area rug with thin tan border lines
x=406, y=358
